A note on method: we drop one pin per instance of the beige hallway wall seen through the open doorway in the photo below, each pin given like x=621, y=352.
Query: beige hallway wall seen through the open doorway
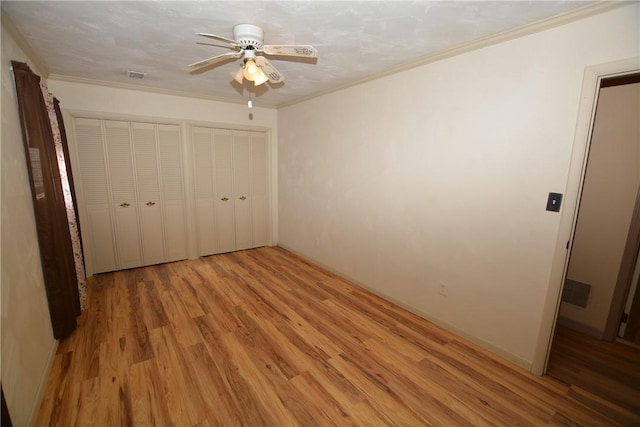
x=610, y=188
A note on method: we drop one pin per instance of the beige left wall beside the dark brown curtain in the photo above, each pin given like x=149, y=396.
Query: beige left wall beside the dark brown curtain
x=28, y=345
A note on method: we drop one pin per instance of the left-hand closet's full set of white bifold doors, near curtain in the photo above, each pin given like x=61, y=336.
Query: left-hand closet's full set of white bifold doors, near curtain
x=133, y=193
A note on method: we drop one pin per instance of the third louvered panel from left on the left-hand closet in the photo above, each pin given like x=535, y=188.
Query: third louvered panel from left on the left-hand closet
x=148, y=186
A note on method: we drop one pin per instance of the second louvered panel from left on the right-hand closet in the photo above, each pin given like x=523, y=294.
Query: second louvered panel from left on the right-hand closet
x=224, y=196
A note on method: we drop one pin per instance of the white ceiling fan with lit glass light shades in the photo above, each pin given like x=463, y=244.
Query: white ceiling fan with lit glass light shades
x=248, y=44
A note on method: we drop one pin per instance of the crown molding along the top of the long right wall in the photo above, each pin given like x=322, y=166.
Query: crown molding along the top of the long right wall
x=599, y=6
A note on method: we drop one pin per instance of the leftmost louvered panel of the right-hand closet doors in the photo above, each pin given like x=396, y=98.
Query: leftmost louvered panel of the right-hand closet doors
x=203, y=164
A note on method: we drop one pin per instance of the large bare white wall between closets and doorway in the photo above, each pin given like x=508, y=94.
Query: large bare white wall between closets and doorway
x=440, y=174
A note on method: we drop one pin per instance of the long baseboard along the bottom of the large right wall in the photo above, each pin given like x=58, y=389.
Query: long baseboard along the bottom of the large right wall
x=523, y=363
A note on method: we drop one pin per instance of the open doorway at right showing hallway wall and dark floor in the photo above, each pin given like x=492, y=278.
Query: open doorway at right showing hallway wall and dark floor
x=593, y=347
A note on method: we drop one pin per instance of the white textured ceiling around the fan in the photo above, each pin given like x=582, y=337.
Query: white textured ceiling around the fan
x=102, y=40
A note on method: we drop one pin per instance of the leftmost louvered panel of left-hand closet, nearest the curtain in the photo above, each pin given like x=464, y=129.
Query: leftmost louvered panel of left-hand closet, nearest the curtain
x=99, y=246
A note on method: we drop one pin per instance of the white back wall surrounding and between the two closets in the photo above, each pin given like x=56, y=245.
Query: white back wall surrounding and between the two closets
x=103, y=101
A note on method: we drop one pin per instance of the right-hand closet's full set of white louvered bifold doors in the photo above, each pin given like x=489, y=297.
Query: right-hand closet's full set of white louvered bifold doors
x=231, y=189
